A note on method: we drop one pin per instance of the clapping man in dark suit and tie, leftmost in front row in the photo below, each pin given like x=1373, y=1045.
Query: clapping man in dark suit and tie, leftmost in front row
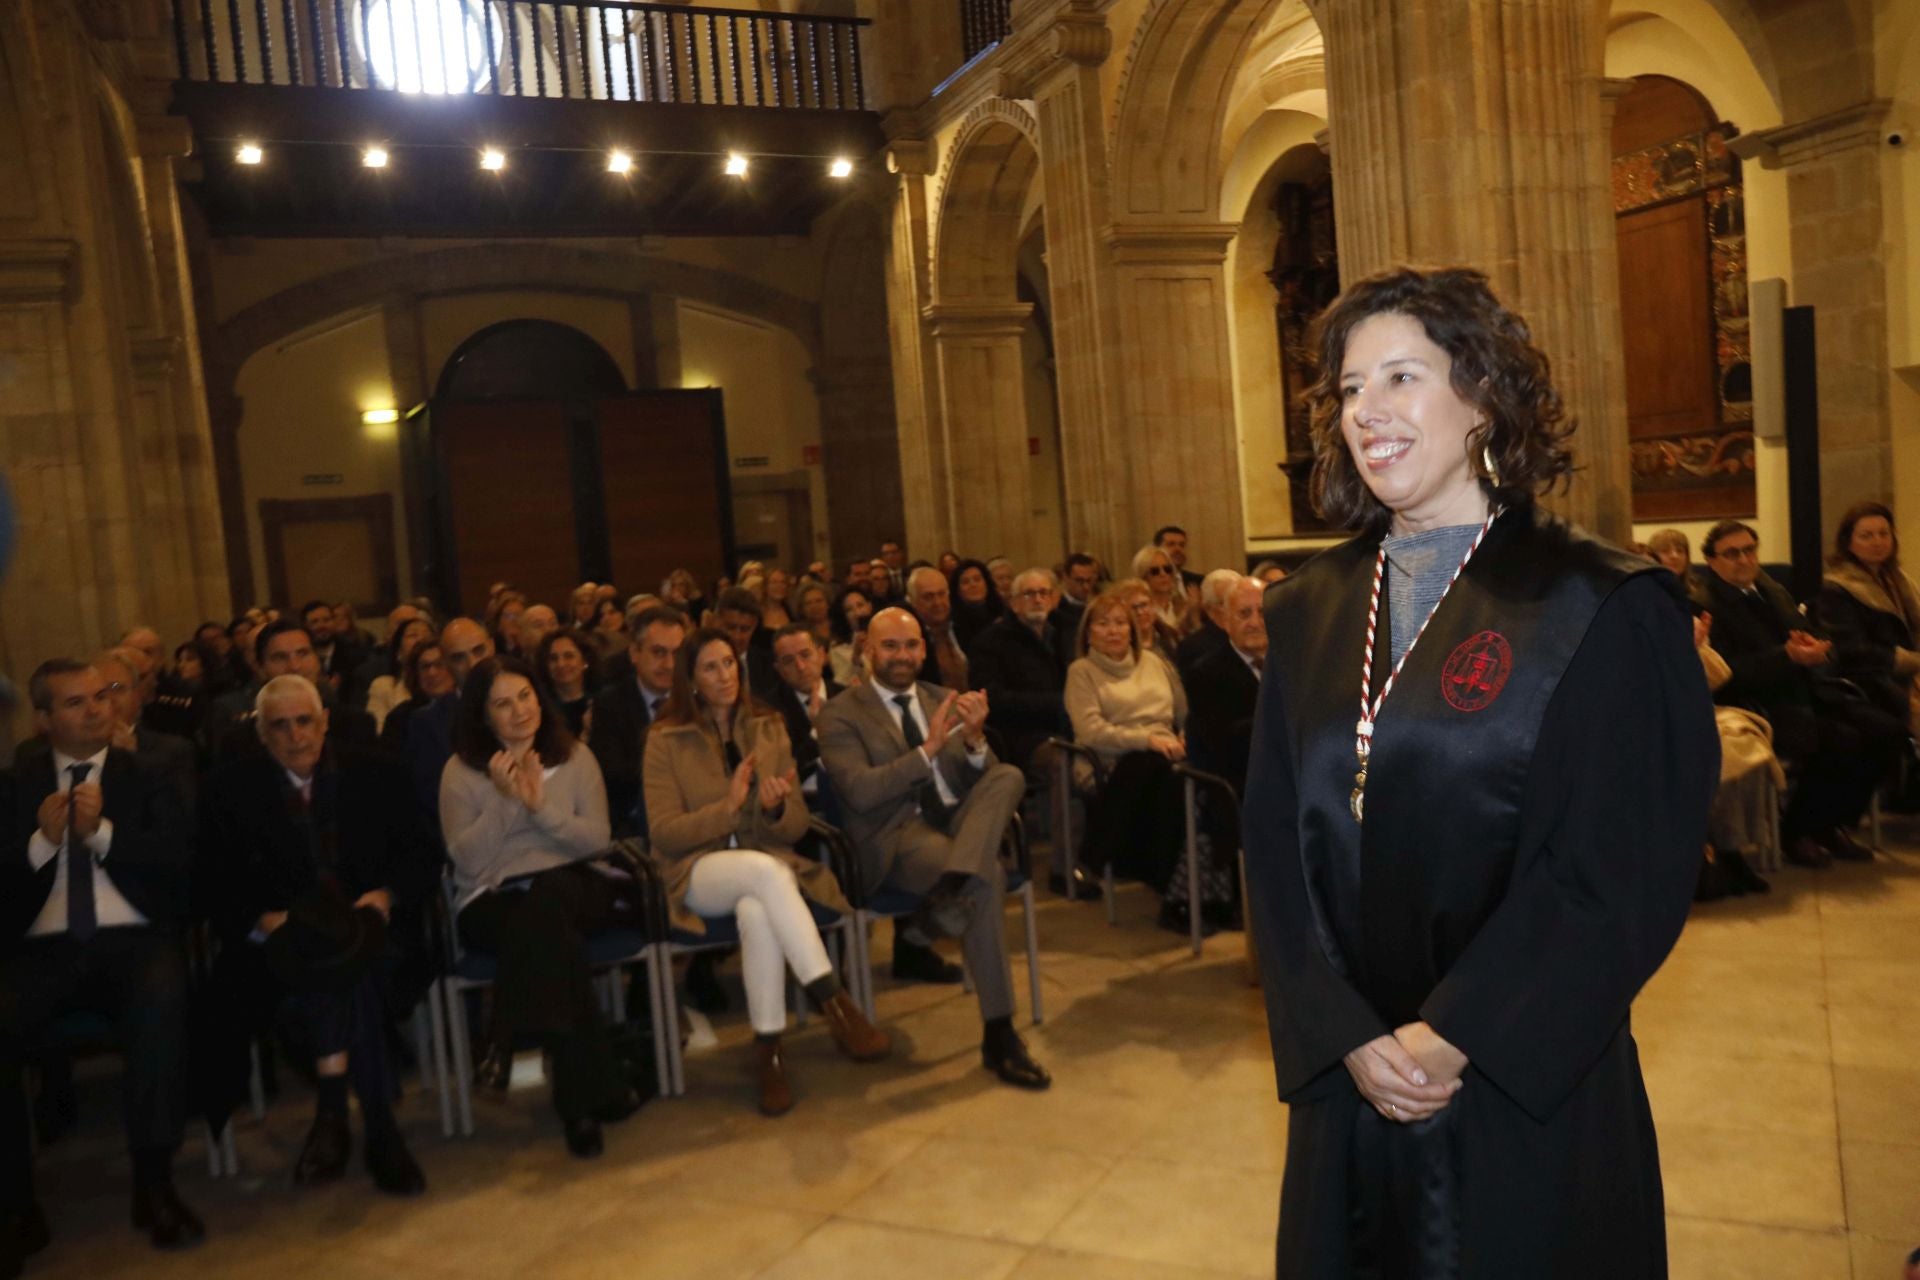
x=93, y=895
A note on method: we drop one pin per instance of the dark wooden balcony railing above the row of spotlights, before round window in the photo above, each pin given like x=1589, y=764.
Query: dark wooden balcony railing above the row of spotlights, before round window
x=610, y=51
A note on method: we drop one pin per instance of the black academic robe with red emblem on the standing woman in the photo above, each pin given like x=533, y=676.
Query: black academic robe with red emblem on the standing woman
x=1535, y=813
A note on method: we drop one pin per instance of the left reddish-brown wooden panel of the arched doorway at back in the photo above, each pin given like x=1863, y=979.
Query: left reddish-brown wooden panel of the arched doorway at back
x=512, y=498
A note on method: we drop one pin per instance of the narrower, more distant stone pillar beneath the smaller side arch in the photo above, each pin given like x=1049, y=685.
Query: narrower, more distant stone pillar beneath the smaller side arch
x=984, y=404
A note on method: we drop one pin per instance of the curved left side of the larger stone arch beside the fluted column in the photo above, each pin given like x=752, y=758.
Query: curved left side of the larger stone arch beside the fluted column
x=1174, y=99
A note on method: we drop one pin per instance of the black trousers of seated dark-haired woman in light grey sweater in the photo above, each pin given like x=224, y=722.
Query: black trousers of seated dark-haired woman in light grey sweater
x=546, y=985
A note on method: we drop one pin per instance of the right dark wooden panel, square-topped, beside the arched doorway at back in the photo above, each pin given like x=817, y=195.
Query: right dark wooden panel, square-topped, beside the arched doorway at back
x=669, y=506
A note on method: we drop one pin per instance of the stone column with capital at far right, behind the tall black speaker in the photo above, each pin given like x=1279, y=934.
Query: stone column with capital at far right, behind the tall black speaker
x=1835, y=225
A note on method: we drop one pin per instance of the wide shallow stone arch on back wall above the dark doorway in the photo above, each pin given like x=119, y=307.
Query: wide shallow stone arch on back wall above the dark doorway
x=483, y=268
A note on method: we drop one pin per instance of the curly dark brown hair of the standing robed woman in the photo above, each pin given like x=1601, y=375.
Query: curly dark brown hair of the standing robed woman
x=1497, y=369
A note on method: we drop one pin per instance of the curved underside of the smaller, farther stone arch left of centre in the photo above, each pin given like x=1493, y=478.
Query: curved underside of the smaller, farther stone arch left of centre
x=992, y=168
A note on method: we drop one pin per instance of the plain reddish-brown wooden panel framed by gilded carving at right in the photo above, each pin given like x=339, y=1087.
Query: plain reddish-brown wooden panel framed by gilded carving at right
x=1666, y=320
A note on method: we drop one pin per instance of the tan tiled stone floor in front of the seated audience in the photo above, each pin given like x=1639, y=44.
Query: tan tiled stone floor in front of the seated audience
x=1779, y=1047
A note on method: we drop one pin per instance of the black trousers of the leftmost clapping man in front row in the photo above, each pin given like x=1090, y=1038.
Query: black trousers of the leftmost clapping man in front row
x=132, y=978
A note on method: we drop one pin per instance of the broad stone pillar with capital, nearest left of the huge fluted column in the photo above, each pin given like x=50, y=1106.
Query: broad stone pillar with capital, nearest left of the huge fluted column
x=1176, y=389
